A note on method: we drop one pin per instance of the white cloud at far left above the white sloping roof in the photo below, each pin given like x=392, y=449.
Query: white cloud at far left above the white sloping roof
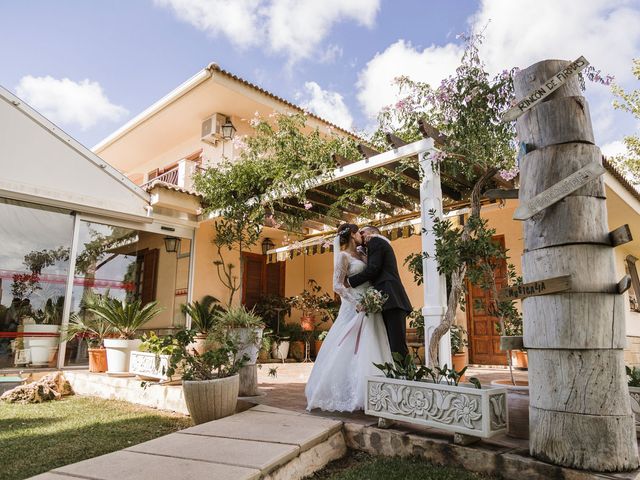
x=67, y=102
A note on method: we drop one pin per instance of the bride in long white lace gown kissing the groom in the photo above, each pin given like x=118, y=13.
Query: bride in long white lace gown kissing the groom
x=354, y=342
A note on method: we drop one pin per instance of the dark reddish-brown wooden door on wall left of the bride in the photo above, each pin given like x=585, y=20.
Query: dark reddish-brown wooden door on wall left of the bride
x=260, y=278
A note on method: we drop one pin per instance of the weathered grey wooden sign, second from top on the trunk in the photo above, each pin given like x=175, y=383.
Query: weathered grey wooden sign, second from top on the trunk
x=558, y=191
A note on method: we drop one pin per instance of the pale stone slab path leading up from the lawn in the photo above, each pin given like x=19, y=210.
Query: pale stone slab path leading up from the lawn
x=263, y=442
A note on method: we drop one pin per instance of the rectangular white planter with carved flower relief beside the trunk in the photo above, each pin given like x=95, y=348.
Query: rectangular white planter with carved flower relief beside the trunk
x=462, y=409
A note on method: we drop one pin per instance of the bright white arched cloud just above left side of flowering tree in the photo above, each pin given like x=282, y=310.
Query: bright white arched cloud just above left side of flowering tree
x=375, y=82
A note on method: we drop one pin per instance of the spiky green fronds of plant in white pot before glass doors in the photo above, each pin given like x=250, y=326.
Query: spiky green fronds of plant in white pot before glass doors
x=124, y=317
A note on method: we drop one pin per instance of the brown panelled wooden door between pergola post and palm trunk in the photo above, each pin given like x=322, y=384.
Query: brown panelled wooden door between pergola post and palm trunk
x=484, y=341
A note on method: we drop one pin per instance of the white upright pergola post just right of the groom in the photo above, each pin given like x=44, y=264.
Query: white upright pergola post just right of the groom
x=435, y=286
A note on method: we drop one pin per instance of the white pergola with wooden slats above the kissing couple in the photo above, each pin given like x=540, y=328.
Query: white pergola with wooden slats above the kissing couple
x=420, y=191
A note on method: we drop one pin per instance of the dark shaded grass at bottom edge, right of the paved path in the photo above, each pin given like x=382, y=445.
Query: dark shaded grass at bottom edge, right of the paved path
x=362, y=466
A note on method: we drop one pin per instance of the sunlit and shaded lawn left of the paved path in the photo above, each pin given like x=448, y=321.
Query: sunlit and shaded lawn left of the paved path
x=35, y=438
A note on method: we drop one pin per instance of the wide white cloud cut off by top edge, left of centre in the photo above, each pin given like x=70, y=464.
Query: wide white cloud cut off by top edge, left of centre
x=294, y=28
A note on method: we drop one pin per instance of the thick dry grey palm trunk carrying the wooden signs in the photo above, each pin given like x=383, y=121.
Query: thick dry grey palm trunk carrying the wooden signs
x=580, y=414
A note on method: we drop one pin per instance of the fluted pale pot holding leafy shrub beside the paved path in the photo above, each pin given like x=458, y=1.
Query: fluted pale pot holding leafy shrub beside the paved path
x=209, y=400
